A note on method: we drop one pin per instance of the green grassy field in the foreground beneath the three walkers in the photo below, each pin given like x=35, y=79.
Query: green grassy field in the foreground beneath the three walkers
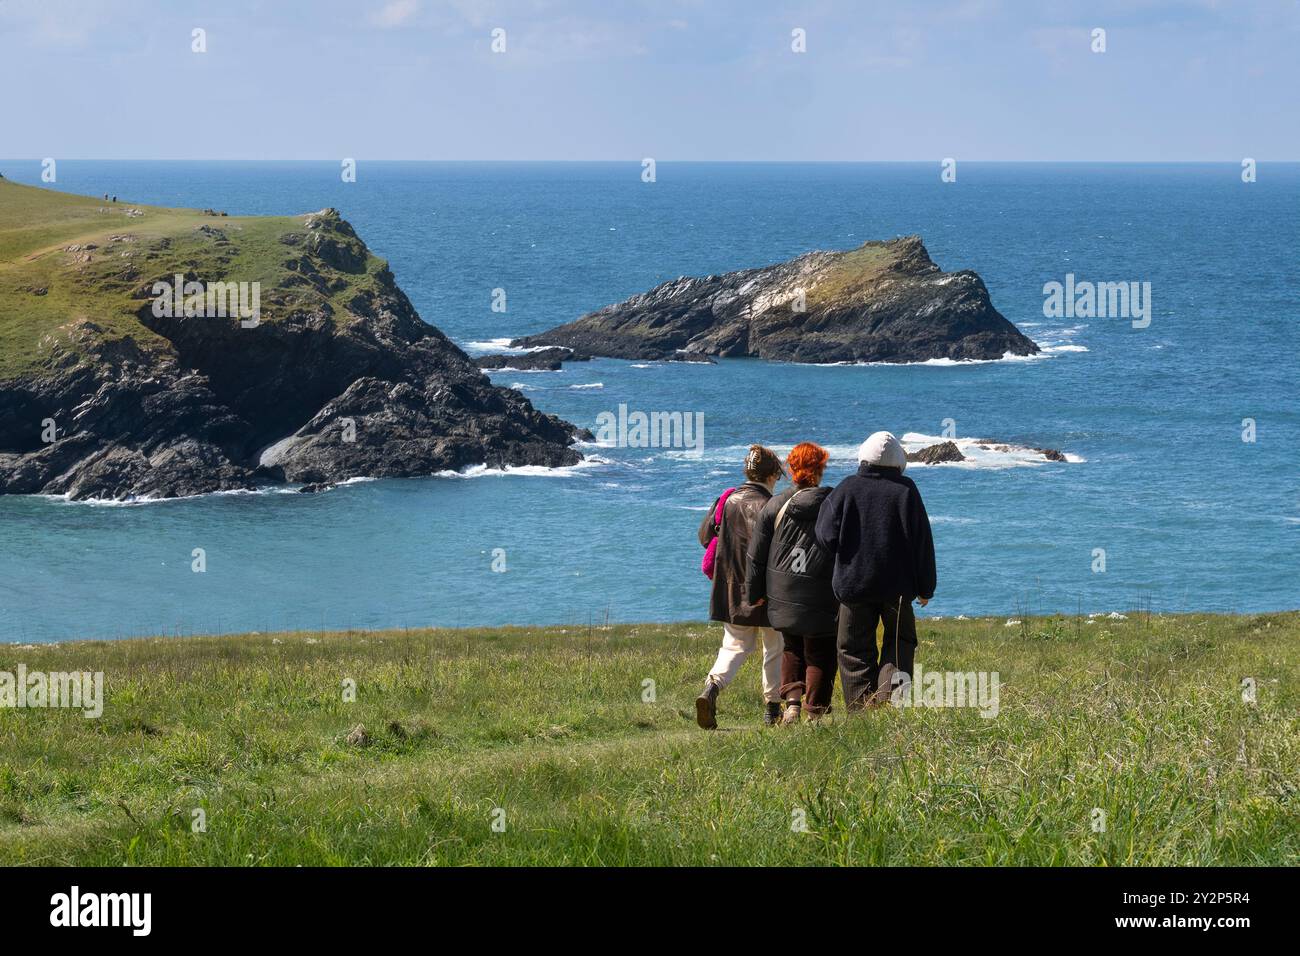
x=553, y=736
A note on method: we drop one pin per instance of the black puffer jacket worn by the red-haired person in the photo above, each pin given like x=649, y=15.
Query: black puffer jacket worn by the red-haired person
x=790, y=569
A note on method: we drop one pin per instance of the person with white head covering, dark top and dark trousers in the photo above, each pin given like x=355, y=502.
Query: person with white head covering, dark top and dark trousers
x=877, y=527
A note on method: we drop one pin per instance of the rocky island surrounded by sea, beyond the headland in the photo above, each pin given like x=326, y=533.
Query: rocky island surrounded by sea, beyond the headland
x=881, y=302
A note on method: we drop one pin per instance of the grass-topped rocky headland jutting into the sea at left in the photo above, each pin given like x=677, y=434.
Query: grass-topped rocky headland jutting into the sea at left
x=105, y=397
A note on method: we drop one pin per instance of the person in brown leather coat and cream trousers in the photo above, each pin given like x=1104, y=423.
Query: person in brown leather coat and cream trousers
x=744, y=625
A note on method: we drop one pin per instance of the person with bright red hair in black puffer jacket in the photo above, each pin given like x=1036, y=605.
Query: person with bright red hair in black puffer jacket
x=791, y=573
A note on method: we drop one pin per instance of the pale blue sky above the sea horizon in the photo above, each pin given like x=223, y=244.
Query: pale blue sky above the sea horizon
x=671, y=80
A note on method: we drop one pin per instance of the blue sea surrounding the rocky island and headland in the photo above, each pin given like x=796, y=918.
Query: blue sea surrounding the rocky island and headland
x=1189, y=516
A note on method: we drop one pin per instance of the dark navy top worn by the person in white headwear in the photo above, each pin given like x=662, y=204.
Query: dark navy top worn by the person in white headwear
x=877, y=527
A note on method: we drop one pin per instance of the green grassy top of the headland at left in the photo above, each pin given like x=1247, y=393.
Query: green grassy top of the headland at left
x=67, y=261
